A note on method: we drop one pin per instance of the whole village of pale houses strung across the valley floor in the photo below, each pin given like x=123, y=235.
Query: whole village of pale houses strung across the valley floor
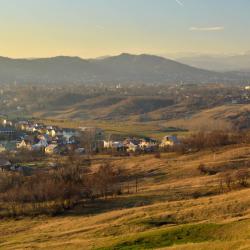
x=28, y=136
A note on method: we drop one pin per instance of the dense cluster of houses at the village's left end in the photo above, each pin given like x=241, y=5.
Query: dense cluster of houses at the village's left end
x=27, y=135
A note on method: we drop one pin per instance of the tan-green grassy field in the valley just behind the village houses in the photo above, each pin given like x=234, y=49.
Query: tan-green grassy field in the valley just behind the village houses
x=218, y=118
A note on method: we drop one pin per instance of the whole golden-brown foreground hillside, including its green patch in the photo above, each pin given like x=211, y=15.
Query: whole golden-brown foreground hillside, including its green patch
x=175, y=208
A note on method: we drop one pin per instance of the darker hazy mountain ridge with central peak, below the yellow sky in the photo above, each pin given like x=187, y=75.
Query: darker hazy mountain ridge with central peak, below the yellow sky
x=124, y=68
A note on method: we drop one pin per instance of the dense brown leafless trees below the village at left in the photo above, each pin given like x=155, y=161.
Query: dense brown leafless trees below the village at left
x=64, y=187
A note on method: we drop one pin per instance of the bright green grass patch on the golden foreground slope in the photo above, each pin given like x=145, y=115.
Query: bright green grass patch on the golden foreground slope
x=164, y=238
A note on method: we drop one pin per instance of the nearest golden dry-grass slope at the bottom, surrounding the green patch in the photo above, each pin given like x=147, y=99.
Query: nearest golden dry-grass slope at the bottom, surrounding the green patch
x=112, y=228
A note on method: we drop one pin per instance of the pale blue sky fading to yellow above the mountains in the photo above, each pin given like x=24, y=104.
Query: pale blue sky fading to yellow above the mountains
x=93, y=28
